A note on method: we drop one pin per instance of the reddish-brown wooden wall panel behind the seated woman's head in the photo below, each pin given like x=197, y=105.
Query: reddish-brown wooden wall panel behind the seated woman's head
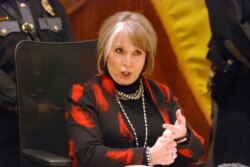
x=86, y=22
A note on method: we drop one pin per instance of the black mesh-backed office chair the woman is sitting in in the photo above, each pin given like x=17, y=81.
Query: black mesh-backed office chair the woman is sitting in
x=45, y=72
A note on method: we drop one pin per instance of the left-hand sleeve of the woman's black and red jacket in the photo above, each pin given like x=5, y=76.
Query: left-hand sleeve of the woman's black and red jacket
x=85, y=131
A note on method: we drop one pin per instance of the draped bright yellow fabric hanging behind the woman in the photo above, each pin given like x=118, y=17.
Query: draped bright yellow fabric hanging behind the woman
x=187, y=25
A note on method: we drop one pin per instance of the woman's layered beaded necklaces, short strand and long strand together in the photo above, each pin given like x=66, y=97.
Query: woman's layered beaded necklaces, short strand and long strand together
x=120, y=95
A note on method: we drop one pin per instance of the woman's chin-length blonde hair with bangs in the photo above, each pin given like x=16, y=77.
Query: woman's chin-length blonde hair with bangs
x=138, y=29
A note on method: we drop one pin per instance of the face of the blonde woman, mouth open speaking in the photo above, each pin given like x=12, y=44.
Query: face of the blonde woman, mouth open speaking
x=125, y=61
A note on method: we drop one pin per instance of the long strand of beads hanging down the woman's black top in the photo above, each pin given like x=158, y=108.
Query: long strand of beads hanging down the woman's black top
x=144, y=115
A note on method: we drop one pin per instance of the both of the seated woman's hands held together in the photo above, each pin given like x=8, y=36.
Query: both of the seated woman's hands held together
x=164, y=151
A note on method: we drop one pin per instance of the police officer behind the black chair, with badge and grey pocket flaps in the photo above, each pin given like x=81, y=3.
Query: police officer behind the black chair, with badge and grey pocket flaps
x=40, y=20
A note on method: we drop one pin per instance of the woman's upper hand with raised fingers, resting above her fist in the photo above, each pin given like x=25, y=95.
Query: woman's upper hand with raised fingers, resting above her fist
x=179, y=128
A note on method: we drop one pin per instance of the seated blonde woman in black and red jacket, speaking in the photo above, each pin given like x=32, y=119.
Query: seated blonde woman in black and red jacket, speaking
x=121, y=118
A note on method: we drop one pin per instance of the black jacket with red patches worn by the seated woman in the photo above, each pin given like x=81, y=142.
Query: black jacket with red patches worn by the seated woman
x=100, y=134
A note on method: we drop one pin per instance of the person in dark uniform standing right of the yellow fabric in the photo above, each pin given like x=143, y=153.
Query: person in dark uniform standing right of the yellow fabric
x=229, y=53
